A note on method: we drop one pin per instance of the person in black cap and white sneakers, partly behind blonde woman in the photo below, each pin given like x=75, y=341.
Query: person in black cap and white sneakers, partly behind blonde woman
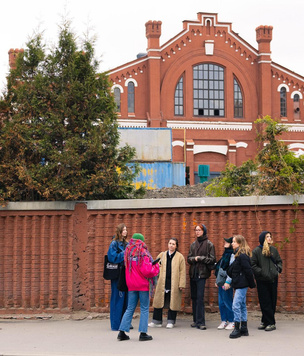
x=225, y=292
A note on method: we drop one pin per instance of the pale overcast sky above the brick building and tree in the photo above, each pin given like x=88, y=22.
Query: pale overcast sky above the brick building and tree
x=120, y=25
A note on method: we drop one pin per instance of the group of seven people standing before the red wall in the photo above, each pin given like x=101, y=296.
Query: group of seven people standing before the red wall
x=239, y=268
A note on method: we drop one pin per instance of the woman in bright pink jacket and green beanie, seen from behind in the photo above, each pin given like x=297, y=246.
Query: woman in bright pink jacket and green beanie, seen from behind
x=140, y=273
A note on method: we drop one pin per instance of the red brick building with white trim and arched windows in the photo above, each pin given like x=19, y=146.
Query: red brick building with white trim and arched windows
x=209, y=86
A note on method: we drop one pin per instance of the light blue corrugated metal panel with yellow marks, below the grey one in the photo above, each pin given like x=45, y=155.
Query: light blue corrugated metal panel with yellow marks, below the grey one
x=161, y=174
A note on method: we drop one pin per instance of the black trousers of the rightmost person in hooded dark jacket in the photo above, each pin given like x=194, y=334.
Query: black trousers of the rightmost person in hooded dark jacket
x=267, y=293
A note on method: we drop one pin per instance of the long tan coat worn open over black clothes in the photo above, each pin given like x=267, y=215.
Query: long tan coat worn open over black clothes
x=178, y=280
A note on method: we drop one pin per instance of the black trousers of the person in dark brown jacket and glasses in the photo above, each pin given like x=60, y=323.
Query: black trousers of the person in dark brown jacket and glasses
x=197, y=286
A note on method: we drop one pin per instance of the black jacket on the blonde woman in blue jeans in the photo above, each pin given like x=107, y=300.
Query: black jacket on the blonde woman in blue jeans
x=241, y=272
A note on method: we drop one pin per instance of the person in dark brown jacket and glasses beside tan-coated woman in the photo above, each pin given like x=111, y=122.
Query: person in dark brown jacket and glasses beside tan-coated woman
x=201, y=259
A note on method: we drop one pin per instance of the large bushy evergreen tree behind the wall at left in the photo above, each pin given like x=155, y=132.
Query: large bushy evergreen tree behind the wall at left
x=59, y=133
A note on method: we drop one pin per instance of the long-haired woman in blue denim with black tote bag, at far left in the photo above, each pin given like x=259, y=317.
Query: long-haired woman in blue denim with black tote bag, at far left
x=119, y=300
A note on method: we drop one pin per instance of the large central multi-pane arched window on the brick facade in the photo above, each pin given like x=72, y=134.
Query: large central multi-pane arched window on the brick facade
x=208, y=90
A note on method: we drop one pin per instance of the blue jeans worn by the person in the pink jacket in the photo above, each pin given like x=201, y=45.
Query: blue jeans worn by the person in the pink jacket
x=144, y=299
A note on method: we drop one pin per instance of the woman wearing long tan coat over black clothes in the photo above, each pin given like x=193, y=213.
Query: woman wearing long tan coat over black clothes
x=171, y=282
